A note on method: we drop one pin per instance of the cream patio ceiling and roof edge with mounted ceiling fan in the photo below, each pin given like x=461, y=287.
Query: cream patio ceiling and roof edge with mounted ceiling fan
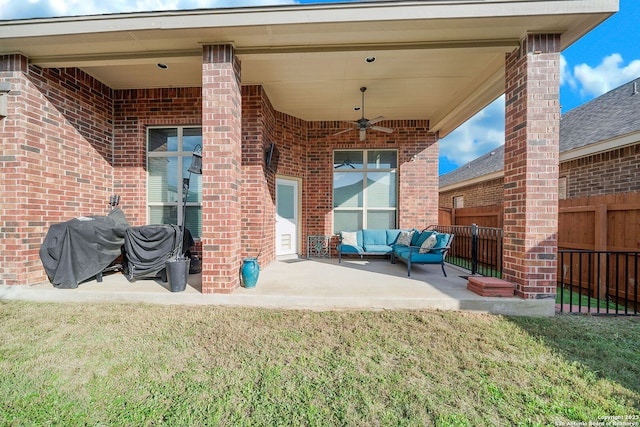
x=436, y=60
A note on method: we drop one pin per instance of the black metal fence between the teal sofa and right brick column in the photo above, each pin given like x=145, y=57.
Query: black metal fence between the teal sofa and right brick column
x=478, y=249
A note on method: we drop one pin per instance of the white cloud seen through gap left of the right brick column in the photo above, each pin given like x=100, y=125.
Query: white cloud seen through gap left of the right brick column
x=478, y=135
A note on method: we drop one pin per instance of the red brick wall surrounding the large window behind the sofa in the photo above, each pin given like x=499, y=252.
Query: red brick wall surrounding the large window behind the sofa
x=418, y=171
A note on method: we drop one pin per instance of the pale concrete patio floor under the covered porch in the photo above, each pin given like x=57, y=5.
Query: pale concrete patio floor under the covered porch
x=315, y=284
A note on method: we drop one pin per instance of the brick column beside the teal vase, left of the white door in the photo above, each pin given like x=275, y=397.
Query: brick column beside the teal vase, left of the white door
x=221, y=169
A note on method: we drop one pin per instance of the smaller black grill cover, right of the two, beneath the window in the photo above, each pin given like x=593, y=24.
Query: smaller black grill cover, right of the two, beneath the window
x=148, y=247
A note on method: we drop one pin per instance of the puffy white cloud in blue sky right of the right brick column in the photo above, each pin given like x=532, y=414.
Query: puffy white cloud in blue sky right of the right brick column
x=607, y=75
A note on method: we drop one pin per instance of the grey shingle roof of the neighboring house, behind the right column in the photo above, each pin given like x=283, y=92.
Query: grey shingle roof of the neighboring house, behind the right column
x=612, y=120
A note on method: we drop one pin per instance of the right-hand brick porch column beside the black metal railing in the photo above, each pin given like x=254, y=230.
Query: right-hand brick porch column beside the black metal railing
x=532, y=129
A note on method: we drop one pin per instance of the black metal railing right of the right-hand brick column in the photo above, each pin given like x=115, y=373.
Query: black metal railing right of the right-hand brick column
x=598, y=282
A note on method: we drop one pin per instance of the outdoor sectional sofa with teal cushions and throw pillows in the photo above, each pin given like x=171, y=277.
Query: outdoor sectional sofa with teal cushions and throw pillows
x=410, y=246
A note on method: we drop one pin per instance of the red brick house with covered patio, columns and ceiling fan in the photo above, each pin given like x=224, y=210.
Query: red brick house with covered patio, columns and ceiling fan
x=114, y=104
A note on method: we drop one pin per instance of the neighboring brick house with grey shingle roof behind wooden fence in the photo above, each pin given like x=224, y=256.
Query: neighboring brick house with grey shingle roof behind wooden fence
x=599, y=154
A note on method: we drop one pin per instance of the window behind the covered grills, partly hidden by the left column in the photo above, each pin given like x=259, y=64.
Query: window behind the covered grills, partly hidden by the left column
x=169, y=152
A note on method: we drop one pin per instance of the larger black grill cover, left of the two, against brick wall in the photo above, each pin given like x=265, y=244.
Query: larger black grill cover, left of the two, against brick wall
x=79, y=249
